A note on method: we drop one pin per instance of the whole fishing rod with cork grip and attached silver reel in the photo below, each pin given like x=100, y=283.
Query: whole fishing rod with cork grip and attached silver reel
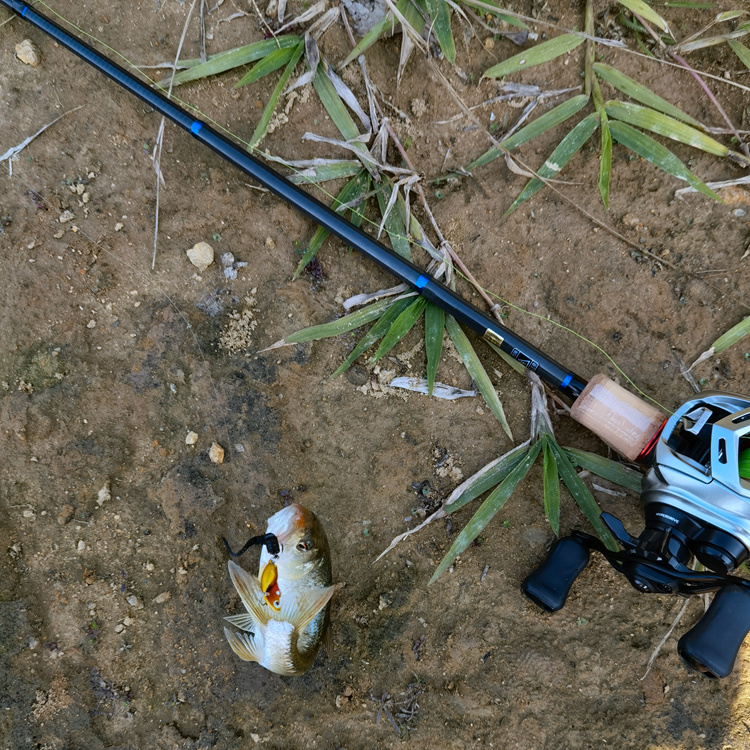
x=696, y=491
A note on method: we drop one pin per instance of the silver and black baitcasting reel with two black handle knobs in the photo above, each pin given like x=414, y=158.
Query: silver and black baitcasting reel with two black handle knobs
x=696, y=497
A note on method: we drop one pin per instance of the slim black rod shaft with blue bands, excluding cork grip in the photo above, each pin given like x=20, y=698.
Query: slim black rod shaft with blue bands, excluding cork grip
x=550, y=371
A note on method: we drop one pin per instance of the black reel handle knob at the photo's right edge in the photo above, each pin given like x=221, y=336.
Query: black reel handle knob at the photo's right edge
x=712, y=644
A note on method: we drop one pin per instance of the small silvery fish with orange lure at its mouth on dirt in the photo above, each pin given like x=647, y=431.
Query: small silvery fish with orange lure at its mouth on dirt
x=288, y=603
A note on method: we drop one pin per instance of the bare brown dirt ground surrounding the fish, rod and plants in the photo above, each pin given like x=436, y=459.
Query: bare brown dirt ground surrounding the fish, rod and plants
x=114, y=580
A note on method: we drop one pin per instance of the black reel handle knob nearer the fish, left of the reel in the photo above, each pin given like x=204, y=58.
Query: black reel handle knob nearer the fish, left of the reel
x=549, y=584
